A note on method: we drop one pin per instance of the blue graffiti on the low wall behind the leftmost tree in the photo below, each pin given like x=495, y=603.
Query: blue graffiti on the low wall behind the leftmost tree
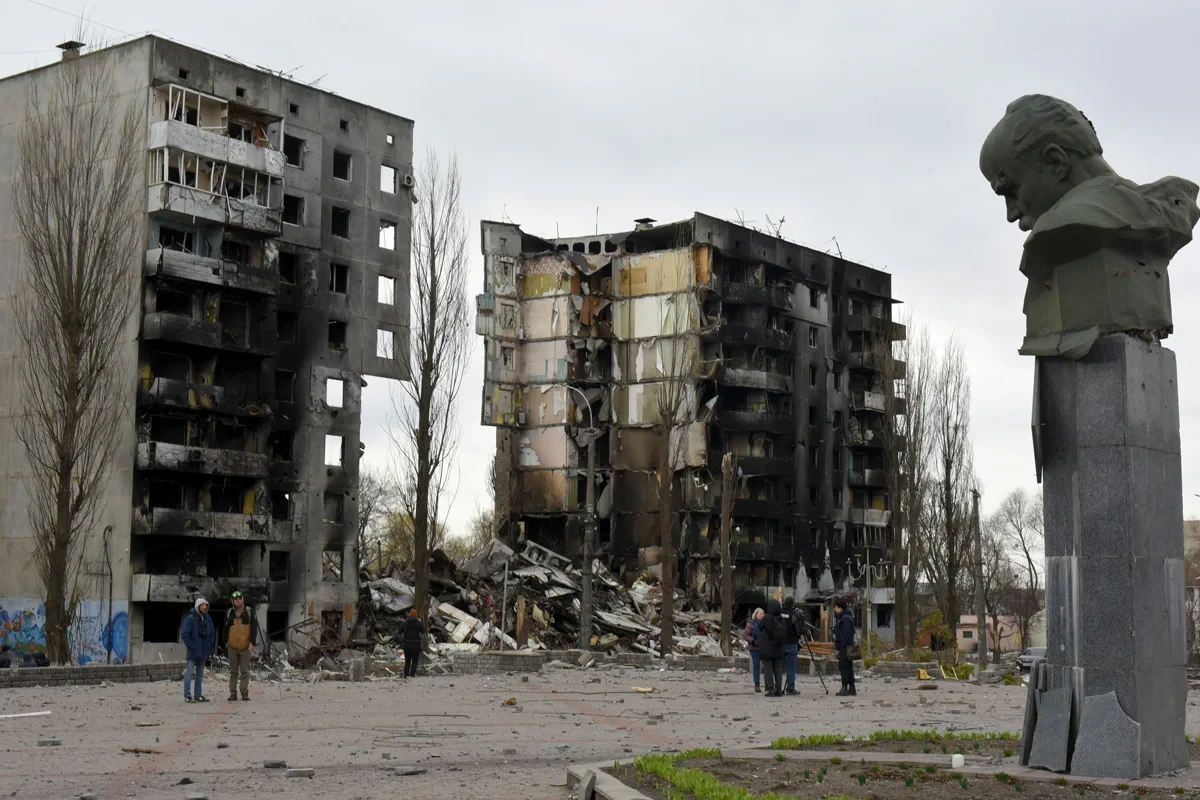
x=97, y=637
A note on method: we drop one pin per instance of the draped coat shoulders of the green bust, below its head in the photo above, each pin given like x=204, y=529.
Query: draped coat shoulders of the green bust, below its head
x=1112, y=212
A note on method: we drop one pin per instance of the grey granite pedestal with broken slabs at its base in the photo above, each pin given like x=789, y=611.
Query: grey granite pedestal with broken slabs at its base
x=1109, y=701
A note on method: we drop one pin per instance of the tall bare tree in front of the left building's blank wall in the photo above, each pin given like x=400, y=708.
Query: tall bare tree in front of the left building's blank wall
x=77, y=207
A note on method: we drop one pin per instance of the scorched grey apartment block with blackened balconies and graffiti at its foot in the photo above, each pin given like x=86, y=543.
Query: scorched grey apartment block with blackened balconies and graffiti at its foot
x=274, y=282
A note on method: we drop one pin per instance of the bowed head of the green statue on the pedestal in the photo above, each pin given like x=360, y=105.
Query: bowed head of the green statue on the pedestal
x=1034, y=155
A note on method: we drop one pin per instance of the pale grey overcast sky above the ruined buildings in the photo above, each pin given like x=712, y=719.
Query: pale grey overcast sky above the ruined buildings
x=859, y=125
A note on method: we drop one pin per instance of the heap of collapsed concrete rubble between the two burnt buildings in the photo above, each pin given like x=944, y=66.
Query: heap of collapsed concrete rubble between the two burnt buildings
x=505, y=600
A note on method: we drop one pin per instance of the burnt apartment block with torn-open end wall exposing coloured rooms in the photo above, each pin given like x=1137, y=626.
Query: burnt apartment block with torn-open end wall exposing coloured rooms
x=764, y=348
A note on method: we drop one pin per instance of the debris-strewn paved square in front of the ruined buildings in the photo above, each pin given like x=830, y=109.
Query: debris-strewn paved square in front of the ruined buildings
x=454, y=727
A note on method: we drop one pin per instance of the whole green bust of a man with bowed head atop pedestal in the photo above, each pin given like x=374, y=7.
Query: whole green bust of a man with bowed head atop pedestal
x=1099, y=248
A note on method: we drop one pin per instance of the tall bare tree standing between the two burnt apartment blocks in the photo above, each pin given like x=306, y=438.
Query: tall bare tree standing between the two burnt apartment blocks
x=425, y=425
